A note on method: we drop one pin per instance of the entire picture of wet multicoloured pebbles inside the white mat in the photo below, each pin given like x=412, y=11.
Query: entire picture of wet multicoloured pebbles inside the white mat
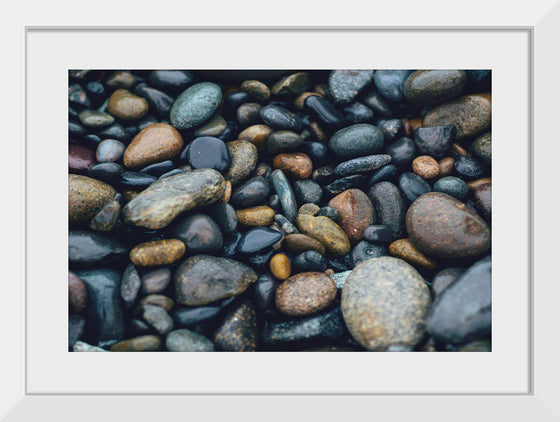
x=276, y=210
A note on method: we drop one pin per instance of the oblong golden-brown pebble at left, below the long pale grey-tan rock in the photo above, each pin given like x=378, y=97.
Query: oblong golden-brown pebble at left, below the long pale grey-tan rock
x=157, y=252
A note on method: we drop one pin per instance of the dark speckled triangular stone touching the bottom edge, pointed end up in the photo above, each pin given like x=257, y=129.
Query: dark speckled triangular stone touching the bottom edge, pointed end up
x=238, y=332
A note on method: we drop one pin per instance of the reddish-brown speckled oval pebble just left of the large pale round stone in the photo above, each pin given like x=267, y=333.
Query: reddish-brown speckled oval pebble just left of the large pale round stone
x=305, y=294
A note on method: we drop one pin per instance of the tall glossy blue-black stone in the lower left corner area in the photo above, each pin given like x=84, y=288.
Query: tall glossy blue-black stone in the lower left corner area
x=104, y=315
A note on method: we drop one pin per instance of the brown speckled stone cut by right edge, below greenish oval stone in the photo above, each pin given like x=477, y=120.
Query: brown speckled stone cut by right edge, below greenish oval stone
x=471, y=115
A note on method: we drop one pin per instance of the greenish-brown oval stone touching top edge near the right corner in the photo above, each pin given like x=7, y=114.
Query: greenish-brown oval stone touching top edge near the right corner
x=424, y=87
